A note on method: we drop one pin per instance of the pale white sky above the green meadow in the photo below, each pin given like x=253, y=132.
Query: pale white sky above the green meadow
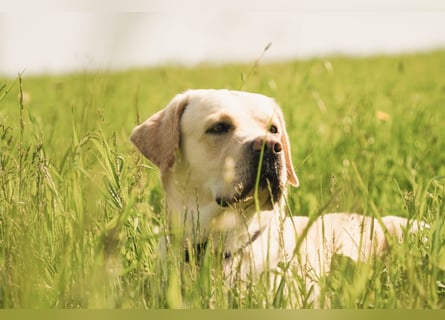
x=79, y=35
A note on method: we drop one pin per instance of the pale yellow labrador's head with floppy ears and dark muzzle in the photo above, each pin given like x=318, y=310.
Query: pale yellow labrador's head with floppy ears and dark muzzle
x=220, y=148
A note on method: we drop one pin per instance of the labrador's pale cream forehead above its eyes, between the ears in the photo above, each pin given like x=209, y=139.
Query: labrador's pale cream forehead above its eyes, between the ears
x=205, y=104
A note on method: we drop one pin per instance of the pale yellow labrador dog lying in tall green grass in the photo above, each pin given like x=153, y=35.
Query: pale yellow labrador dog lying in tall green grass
x=225, y=162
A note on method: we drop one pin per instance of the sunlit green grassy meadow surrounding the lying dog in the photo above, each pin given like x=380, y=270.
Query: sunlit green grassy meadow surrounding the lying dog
x=81, y=211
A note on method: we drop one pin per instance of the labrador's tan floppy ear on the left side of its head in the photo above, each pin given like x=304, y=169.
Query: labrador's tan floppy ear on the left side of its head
x=158, y=137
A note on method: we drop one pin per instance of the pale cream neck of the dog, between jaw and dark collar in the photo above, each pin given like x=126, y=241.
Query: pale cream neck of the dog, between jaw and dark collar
x=201, y=219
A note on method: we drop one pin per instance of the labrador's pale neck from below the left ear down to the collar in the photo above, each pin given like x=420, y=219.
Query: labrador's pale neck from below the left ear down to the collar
x=193, y=212
